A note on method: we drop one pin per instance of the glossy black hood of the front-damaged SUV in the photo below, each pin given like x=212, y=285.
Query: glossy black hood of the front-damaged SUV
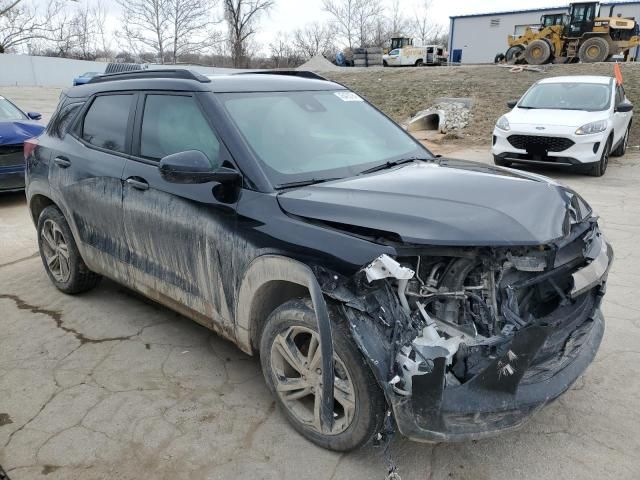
x=454, y=203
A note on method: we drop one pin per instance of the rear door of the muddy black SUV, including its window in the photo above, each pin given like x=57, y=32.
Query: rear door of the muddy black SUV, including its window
x=85, y=176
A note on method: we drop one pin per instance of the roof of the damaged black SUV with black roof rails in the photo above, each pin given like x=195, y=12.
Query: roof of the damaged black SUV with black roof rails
x=243, y=82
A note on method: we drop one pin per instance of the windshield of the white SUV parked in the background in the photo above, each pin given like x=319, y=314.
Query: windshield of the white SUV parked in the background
x=591, y=97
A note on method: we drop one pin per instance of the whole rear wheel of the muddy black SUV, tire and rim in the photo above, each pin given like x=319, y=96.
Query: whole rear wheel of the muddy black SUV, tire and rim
x=60, y=256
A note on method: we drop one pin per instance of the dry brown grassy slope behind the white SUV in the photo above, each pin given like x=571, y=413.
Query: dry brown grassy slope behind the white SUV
x=401, y=92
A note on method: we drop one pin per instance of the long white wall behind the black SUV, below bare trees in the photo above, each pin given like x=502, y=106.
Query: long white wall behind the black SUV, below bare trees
x=25, y=70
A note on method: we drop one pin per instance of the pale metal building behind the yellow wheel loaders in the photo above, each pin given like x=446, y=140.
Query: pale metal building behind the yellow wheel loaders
x=478, y=38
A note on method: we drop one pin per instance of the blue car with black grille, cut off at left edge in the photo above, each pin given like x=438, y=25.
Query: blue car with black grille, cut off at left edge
x=15, y=127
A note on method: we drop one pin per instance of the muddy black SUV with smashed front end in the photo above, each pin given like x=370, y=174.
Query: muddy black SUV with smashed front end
x=288, y=214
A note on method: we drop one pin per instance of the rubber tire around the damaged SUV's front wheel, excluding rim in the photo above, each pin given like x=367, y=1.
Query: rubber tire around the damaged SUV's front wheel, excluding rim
x=370, y=401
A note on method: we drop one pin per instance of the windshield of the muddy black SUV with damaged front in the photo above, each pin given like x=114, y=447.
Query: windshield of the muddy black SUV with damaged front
x=301, y=136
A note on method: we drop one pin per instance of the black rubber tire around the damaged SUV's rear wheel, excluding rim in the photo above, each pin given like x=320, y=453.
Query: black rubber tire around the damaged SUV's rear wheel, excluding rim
x=81, y=279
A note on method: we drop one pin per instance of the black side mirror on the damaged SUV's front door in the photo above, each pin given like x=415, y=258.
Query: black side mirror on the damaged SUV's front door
x=193, y=166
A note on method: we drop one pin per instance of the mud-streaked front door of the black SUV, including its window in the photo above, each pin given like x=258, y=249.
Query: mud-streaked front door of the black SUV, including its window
x=179, y=234
